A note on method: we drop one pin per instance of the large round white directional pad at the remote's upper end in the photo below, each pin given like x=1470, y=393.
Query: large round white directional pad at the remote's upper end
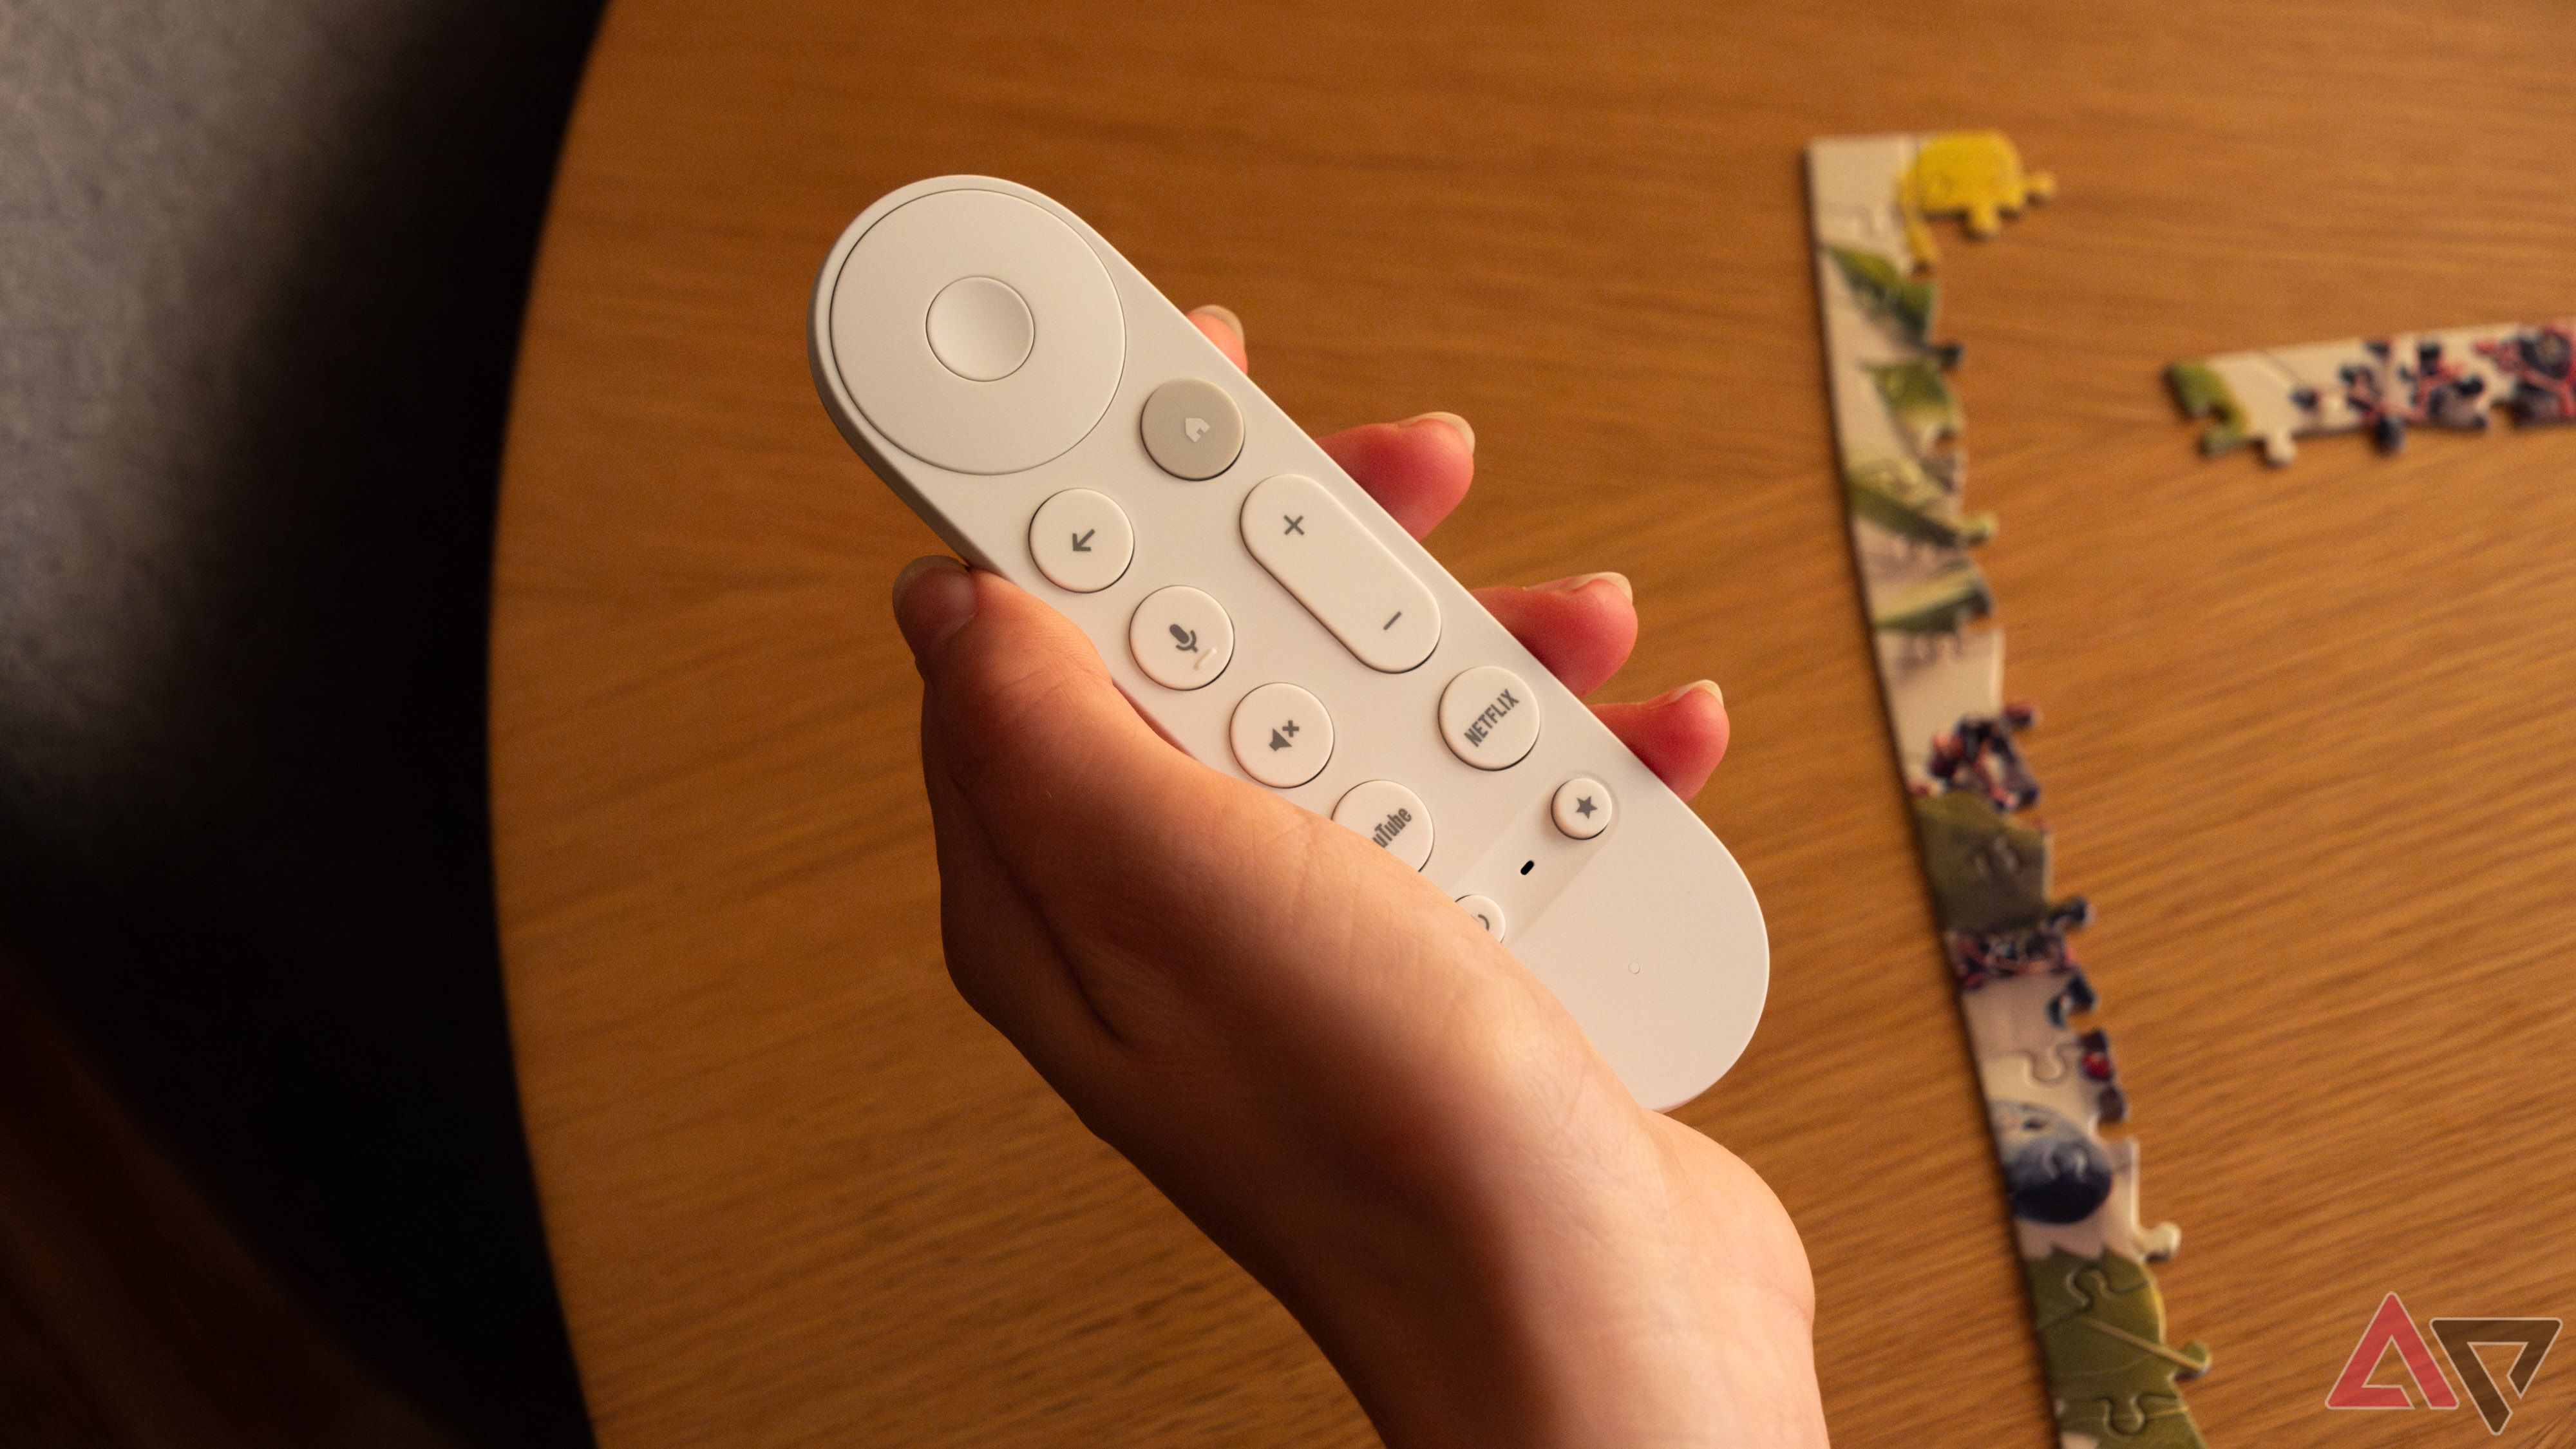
x=934, y=280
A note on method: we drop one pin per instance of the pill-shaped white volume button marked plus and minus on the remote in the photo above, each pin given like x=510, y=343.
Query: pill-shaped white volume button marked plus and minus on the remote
x=1341, y=574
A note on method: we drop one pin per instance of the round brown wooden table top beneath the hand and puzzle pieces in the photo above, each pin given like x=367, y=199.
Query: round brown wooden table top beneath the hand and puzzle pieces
x=2307, y=731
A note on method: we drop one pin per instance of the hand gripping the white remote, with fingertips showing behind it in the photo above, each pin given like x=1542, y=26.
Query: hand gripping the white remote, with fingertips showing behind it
x=1325, y=1064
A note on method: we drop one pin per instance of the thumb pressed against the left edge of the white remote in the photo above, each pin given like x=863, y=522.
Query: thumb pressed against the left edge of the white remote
x=1055, y=762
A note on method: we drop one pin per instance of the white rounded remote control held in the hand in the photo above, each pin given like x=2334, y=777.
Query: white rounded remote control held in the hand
x=1057, y=422
